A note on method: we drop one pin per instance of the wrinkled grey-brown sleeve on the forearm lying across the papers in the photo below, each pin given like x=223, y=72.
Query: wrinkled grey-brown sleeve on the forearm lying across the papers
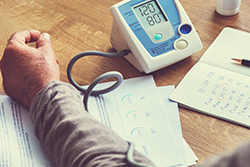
x=70, y=135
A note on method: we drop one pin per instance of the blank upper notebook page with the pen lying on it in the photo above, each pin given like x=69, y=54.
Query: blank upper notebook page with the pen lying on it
x=230, y=43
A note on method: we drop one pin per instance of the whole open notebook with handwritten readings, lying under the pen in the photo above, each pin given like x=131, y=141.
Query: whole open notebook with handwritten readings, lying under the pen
x=215, y=85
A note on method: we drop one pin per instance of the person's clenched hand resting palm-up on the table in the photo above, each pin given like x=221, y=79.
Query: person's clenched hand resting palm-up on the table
x=27, y=70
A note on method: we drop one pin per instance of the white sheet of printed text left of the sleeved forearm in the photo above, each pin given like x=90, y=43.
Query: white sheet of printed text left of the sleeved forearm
x=19, y=145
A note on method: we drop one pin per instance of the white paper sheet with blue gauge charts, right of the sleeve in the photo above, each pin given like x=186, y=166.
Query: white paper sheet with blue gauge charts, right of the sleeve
x=135, y=112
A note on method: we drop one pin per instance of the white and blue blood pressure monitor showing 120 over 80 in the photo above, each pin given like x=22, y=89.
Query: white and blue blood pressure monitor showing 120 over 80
x=157, y=32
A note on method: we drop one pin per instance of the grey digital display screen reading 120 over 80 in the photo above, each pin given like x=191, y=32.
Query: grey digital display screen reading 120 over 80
x=149, y=14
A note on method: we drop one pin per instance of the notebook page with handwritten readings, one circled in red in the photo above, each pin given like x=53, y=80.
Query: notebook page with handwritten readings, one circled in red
x=216, y=92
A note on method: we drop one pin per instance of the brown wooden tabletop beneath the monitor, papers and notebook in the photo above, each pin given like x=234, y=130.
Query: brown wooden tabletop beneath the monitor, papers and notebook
x=80, y=25
